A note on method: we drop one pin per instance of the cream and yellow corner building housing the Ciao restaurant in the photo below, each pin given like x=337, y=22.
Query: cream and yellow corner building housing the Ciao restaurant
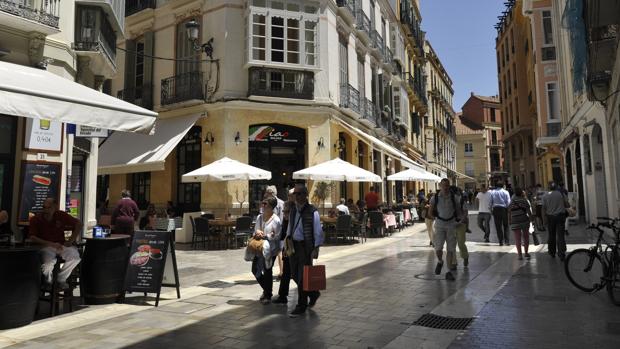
x=267, y=91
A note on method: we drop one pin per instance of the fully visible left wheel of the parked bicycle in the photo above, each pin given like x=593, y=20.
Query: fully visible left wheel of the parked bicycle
x=584, y=269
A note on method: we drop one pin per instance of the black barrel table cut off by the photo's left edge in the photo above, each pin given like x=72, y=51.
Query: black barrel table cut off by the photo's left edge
x=20, y=275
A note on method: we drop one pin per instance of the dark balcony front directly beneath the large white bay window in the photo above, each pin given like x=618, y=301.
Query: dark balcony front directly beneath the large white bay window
x=281, y=83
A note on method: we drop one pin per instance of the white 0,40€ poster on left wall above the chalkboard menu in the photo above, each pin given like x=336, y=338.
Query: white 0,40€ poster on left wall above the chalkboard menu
x=43, y=135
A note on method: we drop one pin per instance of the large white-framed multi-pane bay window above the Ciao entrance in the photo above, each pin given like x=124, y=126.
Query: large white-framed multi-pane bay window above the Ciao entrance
x=282, y=33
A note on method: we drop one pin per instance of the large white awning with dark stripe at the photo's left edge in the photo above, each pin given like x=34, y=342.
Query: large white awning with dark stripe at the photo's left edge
x=39, y=94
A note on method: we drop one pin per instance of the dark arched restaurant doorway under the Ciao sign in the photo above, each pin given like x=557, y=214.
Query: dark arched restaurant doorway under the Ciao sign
x=277, y=148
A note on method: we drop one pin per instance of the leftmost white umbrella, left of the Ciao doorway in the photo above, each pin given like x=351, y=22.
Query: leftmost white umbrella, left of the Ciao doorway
x=225, y=169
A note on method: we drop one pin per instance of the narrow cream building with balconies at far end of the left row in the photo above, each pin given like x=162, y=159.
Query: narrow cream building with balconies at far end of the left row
x=439, y=124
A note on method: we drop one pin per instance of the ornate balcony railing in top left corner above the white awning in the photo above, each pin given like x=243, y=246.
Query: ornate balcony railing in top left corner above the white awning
x=46, y=12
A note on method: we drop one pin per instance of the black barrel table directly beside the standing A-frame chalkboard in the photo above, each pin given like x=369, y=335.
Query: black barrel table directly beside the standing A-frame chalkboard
x=103, y=268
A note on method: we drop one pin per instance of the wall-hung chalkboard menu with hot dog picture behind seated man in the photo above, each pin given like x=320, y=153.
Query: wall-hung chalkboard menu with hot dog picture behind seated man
x=39, y=181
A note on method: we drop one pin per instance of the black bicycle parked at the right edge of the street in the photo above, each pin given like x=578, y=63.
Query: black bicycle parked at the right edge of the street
x=592, y=269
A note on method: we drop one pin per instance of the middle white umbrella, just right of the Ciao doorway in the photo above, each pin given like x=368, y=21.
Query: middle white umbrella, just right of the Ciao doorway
x=336, y=170
